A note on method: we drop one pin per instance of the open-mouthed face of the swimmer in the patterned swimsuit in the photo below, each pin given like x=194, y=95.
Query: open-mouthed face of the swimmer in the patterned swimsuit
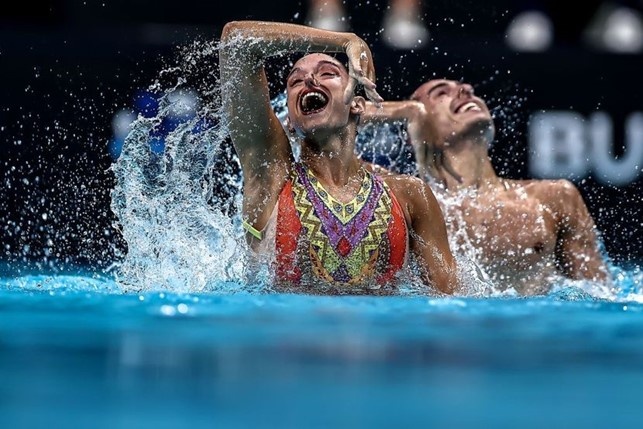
x=315, y=93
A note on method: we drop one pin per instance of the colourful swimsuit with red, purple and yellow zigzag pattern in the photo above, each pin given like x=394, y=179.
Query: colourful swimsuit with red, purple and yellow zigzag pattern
x=317, y=237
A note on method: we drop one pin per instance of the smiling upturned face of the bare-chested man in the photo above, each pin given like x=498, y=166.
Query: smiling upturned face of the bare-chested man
x=454, y=112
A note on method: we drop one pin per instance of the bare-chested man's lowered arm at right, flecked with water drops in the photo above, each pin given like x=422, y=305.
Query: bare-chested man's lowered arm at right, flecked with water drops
x=577, y=246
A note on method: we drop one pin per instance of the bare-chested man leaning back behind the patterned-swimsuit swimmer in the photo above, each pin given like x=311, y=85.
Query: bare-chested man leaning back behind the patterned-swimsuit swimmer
x=525, y=232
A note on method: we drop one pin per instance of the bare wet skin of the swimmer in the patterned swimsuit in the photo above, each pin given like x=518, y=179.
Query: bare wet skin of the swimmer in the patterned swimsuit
x=323, y=113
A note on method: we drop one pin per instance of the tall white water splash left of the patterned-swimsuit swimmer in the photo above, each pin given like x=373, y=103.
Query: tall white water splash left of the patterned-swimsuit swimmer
x=176, y=206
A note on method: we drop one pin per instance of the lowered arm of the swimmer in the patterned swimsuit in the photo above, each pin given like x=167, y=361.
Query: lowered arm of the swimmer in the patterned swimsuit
x=428, y=233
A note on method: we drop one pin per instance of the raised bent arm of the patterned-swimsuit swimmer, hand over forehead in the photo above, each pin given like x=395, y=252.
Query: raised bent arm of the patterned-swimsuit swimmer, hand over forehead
x=260, y=141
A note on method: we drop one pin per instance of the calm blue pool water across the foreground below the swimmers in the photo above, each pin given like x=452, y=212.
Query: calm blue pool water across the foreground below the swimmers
x=76, y=352
